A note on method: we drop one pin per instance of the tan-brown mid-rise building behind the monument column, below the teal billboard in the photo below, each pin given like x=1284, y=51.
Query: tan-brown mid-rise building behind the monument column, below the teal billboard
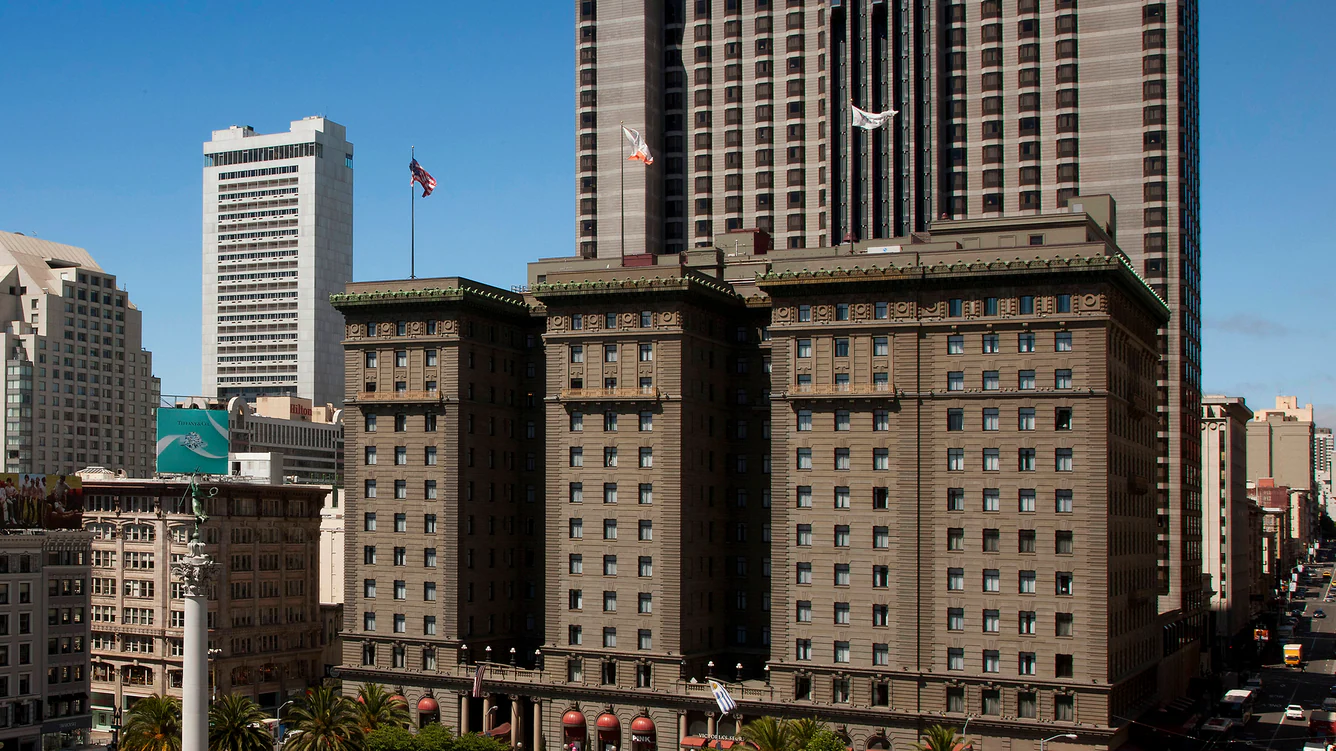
x=265, y=629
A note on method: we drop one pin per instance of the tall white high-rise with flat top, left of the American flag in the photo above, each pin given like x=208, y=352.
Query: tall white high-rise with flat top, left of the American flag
x=279, y=241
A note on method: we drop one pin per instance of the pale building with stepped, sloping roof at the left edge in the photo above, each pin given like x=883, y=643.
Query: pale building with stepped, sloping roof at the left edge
x=79, y=386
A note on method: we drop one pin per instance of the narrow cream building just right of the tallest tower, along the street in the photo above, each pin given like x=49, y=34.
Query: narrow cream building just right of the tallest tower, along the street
x=1232, y=522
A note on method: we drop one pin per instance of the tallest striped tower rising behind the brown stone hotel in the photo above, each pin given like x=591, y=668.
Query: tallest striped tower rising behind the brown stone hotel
x=1007, y=109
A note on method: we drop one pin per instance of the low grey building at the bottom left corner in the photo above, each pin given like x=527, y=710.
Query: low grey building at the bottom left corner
x=43, y=639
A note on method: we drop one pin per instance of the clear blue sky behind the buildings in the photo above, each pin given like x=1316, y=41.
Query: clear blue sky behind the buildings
x=106, y=108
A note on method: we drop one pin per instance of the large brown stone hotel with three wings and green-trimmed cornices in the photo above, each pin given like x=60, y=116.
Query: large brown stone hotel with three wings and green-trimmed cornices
x=889, y=487
